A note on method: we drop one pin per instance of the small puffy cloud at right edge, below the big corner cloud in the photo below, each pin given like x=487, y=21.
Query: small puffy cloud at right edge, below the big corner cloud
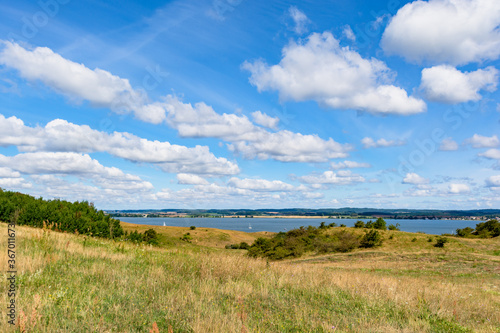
x=446, y=84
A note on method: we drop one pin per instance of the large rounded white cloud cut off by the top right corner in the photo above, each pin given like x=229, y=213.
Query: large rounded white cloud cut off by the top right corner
x=445, y=31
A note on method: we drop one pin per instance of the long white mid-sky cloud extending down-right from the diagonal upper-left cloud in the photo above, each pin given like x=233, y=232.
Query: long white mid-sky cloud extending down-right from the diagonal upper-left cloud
x=249, y=140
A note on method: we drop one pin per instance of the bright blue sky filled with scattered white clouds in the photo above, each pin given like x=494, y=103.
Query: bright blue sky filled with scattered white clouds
x=252, y=104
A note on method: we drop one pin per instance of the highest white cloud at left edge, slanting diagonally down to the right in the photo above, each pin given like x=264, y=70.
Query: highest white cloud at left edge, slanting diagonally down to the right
x=77, y=82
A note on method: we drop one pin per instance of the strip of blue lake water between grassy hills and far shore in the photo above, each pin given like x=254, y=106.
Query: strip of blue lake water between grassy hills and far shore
x=433, y=227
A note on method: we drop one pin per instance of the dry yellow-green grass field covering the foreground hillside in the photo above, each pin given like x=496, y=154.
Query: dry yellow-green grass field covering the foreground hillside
x=69, y=283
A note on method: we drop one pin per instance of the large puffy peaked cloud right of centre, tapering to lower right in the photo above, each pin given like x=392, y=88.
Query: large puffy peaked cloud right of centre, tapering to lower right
x=334, y=76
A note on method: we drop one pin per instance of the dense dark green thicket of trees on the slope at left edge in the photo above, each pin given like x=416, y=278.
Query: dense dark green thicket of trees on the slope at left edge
x=59, y=215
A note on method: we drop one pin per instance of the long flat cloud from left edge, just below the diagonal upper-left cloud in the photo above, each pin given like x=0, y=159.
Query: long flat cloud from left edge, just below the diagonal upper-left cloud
x=62, y=136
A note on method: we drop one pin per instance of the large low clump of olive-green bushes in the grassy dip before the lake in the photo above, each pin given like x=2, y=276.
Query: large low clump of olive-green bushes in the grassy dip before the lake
x=296, y=242
